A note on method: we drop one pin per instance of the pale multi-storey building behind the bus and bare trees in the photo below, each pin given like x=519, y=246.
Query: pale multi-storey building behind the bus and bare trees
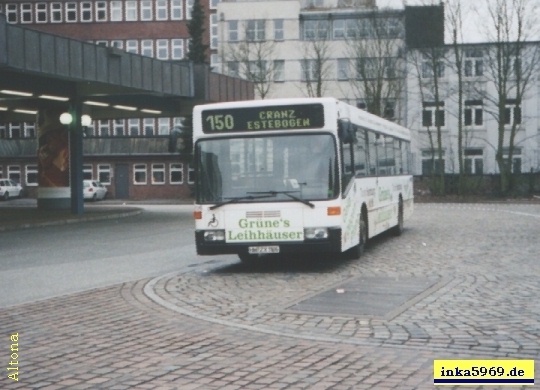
x=371, y=57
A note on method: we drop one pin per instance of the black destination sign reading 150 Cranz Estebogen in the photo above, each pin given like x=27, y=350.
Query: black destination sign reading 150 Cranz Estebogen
x=286, y=117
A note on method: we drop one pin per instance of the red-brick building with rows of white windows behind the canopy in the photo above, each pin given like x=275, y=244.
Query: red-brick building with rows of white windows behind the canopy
x=141, y=164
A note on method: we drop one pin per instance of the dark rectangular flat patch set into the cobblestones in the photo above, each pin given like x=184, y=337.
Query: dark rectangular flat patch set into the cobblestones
x=374, y=297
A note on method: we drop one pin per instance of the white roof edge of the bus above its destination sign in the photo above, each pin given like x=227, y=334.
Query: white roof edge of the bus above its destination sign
x=356, y=116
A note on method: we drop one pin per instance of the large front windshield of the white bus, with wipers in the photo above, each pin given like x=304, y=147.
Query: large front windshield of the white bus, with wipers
x=267, y=168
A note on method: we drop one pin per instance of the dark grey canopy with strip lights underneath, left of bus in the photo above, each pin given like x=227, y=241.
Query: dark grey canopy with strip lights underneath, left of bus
x=45, y=68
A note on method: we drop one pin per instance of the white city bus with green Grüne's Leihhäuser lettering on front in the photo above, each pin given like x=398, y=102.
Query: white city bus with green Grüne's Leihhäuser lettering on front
x=297, y=176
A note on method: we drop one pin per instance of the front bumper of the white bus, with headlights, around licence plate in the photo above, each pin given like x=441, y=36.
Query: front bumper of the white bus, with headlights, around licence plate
x=332, y=244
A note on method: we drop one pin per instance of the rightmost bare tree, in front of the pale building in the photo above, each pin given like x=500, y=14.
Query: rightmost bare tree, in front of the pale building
x=512, y=64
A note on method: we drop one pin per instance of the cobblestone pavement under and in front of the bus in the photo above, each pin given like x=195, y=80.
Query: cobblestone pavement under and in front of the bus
x=222, y=325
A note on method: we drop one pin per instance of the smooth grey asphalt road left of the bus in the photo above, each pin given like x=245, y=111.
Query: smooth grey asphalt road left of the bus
x=60, y=259
